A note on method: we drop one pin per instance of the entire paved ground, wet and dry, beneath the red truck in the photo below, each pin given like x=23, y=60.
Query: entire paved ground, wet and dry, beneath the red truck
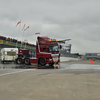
x=79, y=80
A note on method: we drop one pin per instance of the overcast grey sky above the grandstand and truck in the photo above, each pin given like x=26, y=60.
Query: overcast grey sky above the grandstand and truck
x=78, y=20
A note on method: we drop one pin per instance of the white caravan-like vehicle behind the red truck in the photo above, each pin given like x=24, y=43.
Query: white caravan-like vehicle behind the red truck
x=9, y=54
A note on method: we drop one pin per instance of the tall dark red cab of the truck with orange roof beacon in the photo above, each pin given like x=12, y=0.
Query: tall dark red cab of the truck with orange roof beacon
x=47, y=51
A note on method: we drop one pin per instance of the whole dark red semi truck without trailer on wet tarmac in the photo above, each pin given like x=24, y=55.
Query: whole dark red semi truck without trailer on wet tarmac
x=47, y=52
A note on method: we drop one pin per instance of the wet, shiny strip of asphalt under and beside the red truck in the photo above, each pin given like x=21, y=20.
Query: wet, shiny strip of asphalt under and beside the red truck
x=63, y=68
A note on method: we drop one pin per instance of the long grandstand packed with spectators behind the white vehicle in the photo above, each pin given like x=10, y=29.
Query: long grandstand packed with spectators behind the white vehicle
x=13, y=43
